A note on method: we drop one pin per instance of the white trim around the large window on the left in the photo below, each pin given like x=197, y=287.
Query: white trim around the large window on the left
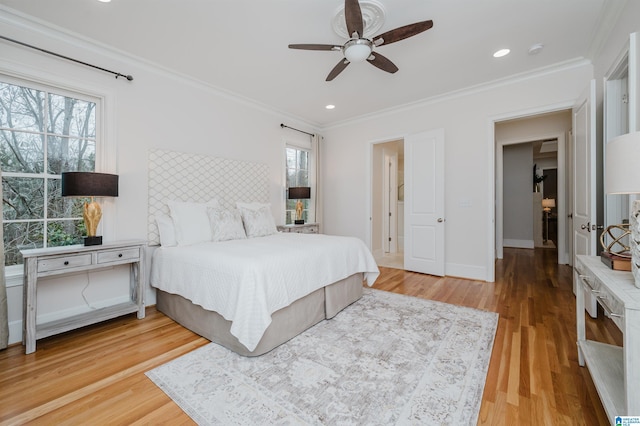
x=105, y=152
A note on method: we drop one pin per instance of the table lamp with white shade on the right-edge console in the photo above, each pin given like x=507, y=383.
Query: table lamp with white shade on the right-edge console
x=622, y=176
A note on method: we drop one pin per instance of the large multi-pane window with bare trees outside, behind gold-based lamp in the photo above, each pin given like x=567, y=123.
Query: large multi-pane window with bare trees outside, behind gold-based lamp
x=43, y=132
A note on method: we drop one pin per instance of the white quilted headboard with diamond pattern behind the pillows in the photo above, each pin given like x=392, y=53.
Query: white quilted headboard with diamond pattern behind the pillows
x=200, y=178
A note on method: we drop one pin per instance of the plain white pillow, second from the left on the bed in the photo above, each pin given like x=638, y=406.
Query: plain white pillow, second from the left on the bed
x=191, y=221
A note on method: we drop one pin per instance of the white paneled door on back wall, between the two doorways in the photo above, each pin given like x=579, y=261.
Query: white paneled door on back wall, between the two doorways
x=424, y=202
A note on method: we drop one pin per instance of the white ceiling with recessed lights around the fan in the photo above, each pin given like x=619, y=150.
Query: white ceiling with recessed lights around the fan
x=240, y=46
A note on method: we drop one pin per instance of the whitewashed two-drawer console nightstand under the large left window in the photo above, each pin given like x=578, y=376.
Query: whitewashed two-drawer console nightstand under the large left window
x=54, y=261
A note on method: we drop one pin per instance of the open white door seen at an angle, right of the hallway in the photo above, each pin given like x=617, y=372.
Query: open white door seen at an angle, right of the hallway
x=584, y=183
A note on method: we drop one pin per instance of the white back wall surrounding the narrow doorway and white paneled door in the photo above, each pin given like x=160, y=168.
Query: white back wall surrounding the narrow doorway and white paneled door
x=468, y=122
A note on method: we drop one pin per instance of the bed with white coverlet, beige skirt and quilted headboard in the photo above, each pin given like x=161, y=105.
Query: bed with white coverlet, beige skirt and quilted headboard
x=249, y=294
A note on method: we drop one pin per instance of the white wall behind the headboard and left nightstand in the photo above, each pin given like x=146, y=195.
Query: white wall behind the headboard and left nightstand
x=157, y=109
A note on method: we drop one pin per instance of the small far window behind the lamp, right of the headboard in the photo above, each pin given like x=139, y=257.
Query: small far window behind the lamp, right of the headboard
x=298, y=174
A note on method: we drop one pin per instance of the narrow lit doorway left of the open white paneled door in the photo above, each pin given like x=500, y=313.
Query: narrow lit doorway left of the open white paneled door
x=387, y=204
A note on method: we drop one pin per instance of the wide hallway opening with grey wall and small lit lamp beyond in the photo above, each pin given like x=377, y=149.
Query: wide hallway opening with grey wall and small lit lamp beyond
x=529, y=215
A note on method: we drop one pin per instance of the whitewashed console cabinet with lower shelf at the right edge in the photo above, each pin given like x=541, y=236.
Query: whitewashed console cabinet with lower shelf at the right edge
x=615, y=370
